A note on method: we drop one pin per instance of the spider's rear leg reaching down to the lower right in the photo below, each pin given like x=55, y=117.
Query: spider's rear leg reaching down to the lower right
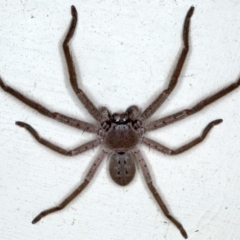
x=156, y=195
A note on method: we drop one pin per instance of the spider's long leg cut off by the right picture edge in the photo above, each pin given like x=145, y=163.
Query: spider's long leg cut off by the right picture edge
x=188, y=112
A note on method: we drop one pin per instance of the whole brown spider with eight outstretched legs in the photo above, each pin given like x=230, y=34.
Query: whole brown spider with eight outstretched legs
x=120, y=133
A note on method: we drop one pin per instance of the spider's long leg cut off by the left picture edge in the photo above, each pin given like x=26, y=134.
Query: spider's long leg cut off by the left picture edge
x=57, y=116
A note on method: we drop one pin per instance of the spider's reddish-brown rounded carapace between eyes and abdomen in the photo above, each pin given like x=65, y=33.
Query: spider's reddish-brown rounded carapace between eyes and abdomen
x=121, y=138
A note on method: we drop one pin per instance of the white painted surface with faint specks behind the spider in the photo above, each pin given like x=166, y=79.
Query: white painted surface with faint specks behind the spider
x=125, y=52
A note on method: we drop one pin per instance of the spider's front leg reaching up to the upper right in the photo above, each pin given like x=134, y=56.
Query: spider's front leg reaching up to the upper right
x=173, y=81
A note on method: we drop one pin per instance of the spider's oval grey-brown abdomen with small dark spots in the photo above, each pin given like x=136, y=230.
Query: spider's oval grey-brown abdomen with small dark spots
x=122, y=168
